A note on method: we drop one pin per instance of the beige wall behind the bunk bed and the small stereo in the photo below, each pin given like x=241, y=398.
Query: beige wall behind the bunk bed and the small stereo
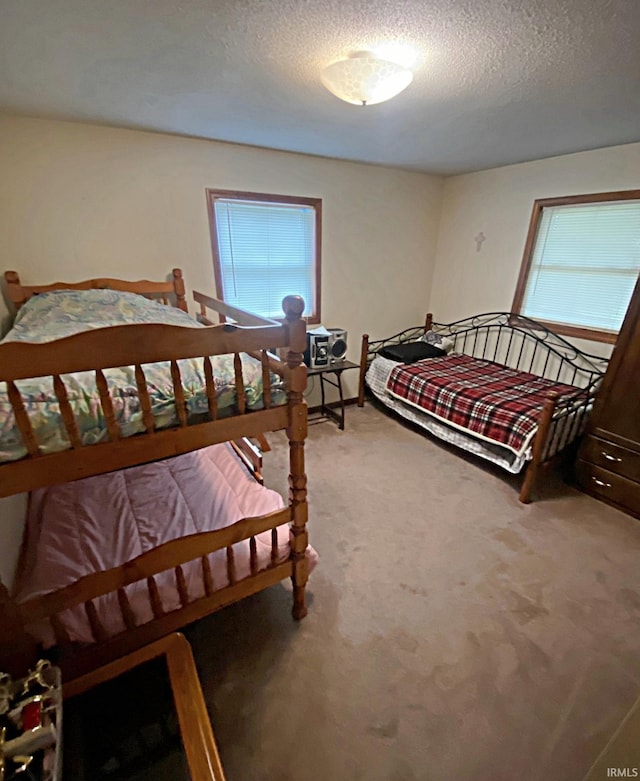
x=78, y=201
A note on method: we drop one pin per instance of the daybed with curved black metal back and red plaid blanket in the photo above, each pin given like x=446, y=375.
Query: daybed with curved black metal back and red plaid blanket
x=558, y=381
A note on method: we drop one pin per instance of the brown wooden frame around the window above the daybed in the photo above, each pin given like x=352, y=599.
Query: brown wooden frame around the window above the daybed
x=580, y=332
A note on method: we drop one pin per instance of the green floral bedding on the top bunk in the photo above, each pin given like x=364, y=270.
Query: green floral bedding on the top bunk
x=55, y=315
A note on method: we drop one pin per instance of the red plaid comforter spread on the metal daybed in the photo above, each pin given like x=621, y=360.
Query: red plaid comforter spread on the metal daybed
x=483, y=397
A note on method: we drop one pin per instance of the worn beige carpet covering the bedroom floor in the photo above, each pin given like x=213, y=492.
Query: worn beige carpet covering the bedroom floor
x=453, y=633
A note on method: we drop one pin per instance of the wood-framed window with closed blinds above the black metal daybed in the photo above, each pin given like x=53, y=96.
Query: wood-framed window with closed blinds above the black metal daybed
x=581, y=262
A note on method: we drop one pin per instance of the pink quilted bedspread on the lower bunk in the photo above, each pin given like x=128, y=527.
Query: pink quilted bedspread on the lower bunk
x=94, y=524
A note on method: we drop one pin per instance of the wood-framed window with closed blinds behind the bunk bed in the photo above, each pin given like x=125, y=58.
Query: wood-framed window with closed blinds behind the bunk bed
x=266, y=247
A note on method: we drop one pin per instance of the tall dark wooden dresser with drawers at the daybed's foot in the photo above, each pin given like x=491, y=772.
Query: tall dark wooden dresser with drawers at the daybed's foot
x=609, y=459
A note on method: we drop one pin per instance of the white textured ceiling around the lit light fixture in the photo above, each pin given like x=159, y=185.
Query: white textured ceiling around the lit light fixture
x=496, y=81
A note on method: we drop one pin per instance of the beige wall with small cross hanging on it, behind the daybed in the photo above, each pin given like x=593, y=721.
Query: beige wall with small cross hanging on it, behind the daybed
x=498, y=203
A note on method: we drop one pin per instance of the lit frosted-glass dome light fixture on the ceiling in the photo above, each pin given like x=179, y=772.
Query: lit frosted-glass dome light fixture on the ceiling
x=364, y=79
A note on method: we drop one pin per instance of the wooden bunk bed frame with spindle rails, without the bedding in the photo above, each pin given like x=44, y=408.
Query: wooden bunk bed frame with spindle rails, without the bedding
x=138, y=345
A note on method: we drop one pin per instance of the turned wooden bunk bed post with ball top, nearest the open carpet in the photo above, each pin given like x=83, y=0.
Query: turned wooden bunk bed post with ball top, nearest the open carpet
x=293, y=307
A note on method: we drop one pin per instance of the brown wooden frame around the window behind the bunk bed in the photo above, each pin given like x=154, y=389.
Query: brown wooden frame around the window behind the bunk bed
x=238, y=195
